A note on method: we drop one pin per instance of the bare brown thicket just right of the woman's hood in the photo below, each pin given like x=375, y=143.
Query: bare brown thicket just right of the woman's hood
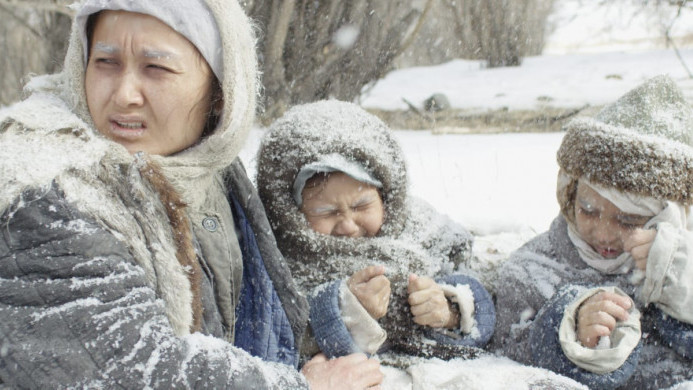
x=313, y=50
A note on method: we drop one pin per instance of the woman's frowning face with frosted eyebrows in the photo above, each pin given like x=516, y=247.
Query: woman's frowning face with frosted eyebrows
x=147, y=86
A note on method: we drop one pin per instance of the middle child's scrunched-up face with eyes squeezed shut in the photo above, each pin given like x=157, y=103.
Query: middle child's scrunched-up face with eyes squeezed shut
x=343, y=206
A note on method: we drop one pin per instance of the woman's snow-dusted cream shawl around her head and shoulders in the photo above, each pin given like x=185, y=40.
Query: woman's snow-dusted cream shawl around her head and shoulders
x=50, y=137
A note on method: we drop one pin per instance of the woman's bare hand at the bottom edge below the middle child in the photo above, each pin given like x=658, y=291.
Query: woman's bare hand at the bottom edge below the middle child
x=351, y=372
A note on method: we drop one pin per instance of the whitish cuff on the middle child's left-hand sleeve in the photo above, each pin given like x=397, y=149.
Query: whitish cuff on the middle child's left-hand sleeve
x=364, y=329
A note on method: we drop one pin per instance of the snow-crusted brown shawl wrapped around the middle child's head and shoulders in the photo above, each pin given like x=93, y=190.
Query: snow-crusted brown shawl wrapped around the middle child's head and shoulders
x=414, y=237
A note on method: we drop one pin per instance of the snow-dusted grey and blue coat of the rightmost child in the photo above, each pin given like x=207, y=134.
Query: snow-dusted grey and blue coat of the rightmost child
x=533, y=288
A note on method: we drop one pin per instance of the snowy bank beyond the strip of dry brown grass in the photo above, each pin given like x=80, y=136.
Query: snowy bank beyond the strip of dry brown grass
x=568, y=80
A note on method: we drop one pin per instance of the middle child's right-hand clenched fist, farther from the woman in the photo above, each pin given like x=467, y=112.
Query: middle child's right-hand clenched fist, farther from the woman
x=429, y=305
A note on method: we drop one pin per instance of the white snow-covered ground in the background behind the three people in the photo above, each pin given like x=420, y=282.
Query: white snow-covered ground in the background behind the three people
x=502, y=186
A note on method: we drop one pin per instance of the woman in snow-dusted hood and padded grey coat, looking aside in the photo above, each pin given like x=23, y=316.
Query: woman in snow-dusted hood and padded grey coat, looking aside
x=135, y=252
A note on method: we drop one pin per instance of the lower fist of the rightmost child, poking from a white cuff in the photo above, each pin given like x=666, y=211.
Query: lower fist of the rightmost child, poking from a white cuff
x=598, y=315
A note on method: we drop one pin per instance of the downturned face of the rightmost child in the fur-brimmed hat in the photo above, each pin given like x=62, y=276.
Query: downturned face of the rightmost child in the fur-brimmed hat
x=601, y=224
